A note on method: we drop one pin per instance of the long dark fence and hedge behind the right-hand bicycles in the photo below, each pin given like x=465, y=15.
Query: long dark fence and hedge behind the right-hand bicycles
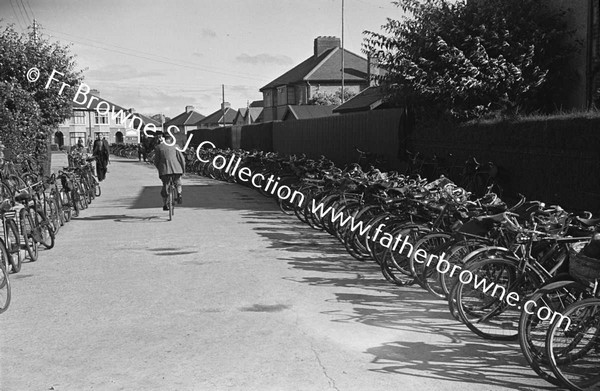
x=554, y=160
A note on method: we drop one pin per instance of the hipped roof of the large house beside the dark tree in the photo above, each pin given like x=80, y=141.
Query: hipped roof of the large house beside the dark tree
x=325, y=67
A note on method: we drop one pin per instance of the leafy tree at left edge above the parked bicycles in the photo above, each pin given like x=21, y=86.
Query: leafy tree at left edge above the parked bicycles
x=28, y=111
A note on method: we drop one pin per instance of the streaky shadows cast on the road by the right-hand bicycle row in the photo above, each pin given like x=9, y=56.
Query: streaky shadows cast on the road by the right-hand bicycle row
x=464, y=358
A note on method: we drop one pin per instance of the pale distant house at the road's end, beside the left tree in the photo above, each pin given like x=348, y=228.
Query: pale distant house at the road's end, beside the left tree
x=86, y=122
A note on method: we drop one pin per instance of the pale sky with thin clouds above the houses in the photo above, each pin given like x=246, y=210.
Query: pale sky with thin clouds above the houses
x=160, y=56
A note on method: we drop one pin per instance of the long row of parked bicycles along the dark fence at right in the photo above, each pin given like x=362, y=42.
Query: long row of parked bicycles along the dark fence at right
x=546, y=256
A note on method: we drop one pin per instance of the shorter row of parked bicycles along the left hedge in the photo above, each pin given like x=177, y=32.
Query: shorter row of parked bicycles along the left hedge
x=33, y=207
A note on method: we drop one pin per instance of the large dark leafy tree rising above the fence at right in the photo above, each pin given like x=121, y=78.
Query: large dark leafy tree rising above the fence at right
x=473, y=58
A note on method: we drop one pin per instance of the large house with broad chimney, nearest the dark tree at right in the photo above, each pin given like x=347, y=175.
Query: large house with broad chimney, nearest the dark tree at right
x=321, y=72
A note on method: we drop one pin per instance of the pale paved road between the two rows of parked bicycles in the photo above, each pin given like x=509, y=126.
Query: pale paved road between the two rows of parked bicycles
x=231, y=295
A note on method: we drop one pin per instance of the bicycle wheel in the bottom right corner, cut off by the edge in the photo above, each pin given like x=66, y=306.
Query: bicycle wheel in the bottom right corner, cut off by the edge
x=574, y=348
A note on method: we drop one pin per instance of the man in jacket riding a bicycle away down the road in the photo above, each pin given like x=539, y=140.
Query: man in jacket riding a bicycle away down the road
x=170, y=164
